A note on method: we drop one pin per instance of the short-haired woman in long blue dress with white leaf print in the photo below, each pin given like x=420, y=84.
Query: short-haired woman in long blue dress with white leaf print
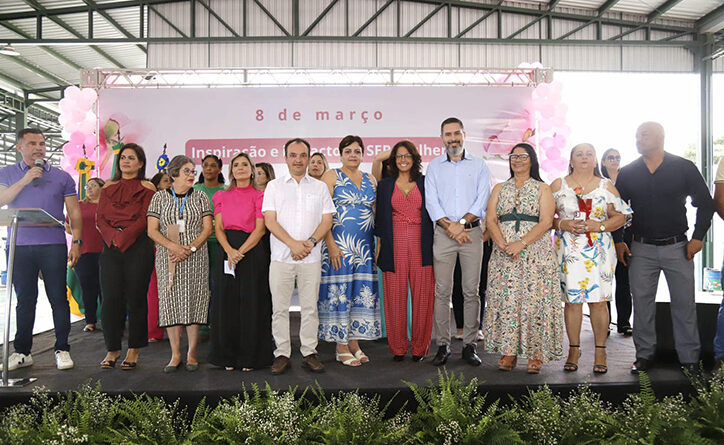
x=348, y=304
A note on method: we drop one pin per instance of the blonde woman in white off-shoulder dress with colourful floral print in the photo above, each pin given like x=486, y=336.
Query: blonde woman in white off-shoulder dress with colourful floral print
x=589, y=209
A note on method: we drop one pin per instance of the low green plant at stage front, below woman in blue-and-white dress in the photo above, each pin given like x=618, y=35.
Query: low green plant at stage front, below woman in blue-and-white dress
x=351, y=418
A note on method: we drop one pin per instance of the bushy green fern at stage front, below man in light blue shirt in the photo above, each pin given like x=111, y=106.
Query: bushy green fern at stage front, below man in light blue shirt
x=454, y=413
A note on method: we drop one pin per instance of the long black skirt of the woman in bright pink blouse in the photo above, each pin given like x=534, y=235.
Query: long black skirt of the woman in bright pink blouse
x=241, y=334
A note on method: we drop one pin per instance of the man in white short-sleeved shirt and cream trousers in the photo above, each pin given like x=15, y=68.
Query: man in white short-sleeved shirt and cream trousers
x=298, y=212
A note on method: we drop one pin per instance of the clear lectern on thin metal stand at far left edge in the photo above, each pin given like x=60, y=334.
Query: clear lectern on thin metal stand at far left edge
x=16, y=218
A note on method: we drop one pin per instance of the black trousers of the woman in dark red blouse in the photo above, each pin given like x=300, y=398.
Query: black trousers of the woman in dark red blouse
x=124, y=283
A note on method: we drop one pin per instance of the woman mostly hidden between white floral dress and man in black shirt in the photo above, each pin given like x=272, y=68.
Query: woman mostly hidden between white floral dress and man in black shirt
x=610, y=163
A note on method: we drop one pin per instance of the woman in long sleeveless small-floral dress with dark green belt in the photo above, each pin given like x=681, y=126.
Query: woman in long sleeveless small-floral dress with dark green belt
x=523, y=314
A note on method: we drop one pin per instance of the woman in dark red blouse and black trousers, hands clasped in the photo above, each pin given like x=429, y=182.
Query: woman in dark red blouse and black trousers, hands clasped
x=127, y=258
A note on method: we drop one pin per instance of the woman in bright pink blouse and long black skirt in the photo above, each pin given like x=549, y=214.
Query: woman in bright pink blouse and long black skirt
x=241, y=335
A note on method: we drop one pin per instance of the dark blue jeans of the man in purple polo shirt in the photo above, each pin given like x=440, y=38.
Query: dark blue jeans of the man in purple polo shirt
x=50, y=260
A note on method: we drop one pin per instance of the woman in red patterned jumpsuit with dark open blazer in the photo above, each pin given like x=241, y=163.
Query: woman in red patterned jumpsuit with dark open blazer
x=404, y=231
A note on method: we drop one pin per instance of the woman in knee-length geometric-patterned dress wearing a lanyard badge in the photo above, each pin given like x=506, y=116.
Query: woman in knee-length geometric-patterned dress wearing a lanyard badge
x=183, y=301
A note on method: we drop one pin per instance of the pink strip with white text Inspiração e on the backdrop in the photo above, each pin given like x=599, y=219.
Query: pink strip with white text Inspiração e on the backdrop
x=271, y=150
